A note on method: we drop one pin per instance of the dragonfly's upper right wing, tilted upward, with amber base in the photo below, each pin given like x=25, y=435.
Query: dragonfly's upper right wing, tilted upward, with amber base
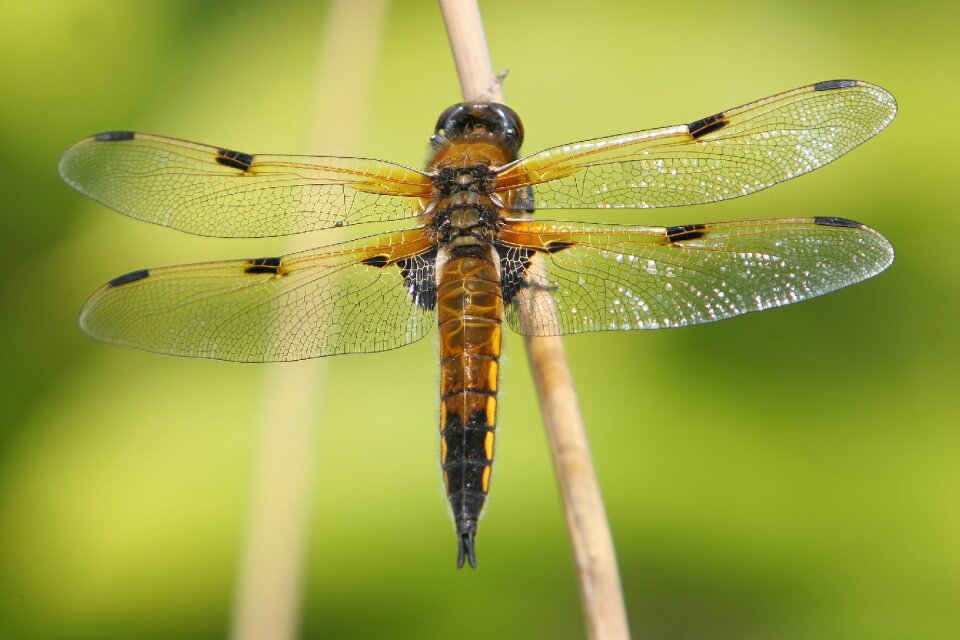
x=726, y=155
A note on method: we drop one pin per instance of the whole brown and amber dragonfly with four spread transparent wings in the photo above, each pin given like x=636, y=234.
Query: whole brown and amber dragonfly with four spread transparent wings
x=471, y=253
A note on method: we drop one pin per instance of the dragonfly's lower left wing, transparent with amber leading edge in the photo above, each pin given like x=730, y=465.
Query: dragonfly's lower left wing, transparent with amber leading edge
x=344, y=298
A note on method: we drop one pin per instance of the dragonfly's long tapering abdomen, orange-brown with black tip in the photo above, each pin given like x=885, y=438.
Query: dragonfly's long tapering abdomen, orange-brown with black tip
x=470, y=310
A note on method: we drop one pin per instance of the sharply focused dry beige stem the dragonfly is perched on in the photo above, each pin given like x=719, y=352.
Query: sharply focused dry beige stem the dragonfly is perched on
x=599, y=579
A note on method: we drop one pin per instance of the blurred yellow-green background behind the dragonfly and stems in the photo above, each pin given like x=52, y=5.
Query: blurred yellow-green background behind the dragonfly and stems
x=791, y=474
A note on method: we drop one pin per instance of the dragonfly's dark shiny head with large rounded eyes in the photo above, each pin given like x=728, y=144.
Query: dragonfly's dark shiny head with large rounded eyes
x=478, y=120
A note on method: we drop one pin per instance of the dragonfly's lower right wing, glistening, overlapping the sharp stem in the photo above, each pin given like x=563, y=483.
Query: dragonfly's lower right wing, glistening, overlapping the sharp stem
x=609, y=277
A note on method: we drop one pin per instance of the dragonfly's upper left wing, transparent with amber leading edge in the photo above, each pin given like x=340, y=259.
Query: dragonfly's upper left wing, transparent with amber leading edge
x=211, y=191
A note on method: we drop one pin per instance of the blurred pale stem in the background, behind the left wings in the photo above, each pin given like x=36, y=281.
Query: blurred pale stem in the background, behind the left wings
x=269, y=584
